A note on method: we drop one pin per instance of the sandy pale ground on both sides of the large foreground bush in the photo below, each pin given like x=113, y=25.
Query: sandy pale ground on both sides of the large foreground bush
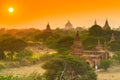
x=113, y=73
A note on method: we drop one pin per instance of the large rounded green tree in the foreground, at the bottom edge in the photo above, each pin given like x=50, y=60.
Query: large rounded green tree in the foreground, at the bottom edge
x=66, y=67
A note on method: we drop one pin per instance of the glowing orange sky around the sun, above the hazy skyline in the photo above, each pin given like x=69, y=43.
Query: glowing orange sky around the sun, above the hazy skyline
x=37, y=13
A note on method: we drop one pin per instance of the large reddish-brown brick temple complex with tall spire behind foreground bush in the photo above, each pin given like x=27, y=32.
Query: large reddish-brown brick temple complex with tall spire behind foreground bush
x=92, y=57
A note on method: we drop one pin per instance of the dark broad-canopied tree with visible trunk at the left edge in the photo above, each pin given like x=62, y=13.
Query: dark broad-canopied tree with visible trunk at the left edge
x=12, y=45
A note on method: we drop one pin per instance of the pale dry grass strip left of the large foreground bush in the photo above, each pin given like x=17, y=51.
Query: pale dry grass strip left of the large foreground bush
x=23, y=70
